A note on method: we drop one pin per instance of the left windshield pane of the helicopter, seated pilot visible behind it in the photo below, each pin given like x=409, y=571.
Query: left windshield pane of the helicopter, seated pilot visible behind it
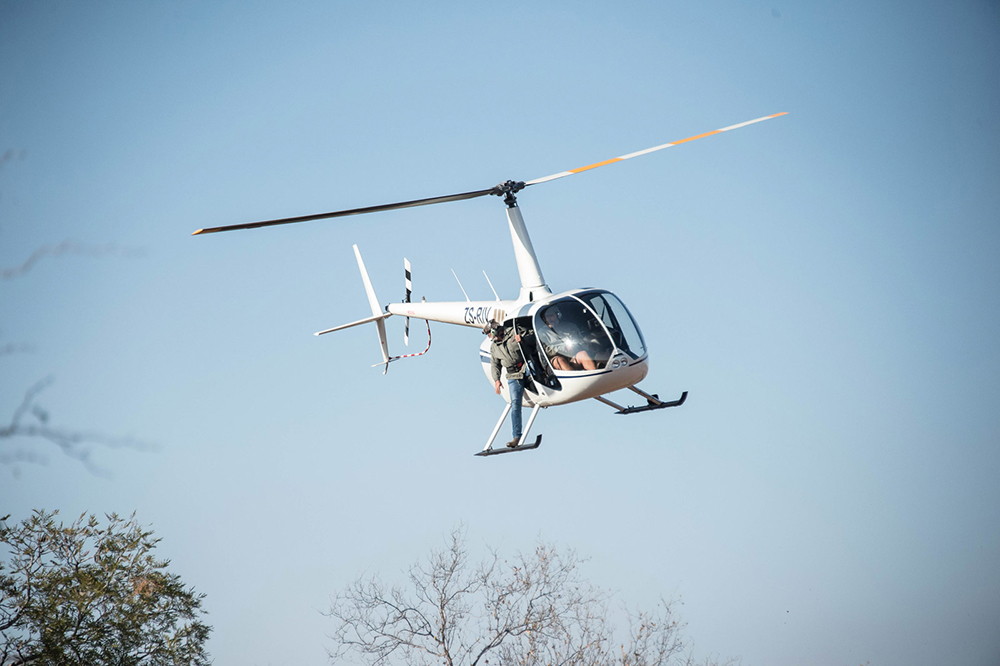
x=572, y=337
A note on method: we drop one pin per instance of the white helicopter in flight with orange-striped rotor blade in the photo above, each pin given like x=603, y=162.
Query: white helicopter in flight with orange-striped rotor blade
x=601, y=348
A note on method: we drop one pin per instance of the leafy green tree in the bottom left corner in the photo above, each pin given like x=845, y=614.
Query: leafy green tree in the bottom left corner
x=84, y=595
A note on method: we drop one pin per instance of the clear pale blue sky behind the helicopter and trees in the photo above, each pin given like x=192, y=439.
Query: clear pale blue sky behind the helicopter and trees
x=824, y=284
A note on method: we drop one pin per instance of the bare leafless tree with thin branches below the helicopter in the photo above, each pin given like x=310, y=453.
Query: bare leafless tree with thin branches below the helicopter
x=533, y=610
